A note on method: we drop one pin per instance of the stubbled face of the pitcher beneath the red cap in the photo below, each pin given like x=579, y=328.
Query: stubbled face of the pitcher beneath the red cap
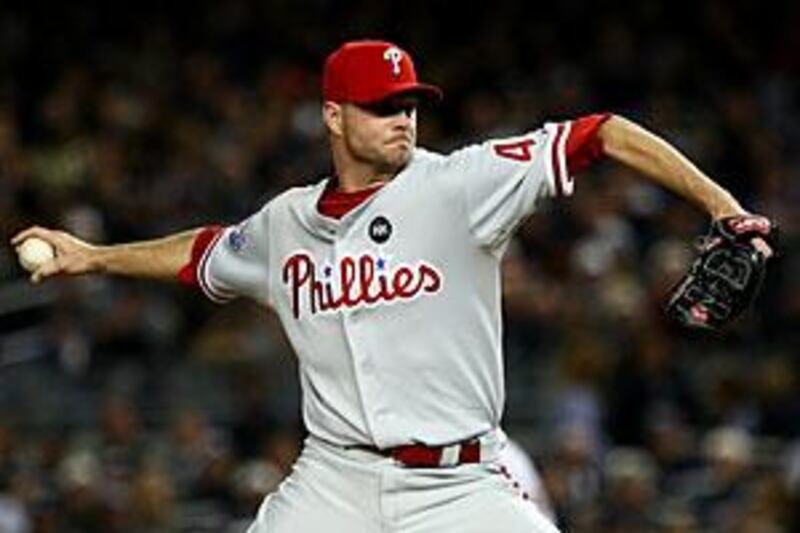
x=383, y=134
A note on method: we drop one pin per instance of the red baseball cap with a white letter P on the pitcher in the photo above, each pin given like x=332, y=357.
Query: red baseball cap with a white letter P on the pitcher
x=367, y=72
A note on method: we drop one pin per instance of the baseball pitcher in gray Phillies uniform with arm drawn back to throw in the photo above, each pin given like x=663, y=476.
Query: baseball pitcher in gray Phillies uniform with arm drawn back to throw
x=386, y=278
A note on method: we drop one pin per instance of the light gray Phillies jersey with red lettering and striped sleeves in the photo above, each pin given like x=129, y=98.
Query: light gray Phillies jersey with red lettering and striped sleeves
x=394, y=309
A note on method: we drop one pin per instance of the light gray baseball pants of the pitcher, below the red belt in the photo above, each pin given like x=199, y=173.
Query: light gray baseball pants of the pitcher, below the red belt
x=338, y=490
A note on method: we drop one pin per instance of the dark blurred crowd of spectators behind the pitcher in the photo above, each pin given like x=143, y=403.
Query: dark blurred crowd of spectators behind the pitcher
x=129, y=406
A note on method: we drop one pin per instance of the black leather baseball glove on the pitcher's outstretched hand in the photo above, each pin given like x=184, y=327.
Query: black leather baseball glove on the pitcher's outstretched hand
x=726, y=277
